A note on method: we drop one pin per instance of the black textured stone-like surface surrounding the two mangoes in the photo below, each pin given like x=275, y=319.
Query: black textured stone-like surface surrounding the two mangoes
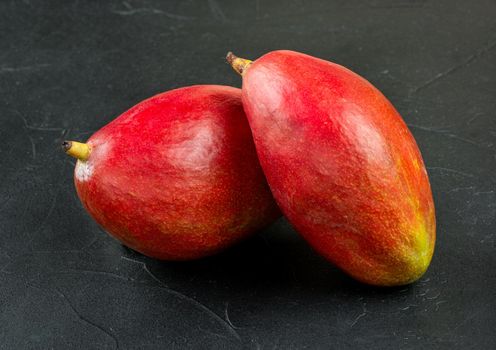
x=69, y=67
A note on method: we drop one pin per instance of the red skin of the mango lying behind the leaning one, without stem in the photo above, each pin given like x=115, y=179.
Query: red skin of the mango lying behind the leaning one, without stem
x=177, y=177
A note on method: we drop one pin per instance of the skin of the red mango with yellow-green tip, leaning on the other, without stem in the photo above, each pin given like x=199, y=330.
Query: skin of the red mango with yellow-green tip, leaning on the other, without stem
x=342, y=166
